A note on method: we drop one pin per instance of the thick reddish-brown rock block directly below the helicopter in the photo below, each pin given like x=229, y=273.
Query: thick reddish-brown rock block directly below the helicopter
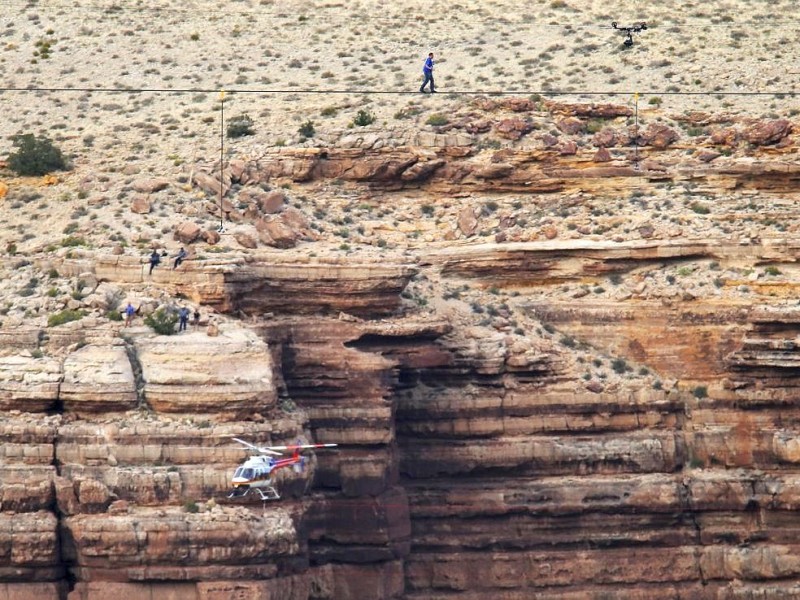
x=177, y=545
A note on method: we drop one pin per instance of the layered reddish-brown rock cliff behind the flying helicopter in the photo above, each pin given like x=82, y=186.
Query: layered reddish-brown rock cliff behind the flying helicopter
x=541, y=393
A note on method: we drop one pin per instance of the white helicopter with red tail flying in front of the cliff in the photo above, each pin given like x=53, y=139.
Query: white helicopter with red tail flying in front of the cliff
x=255, y=473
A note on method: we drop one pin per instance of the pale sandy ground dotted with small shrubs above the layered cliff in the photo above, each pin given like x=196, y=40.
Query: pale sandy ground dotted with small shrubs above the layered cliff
x=156, y=71
